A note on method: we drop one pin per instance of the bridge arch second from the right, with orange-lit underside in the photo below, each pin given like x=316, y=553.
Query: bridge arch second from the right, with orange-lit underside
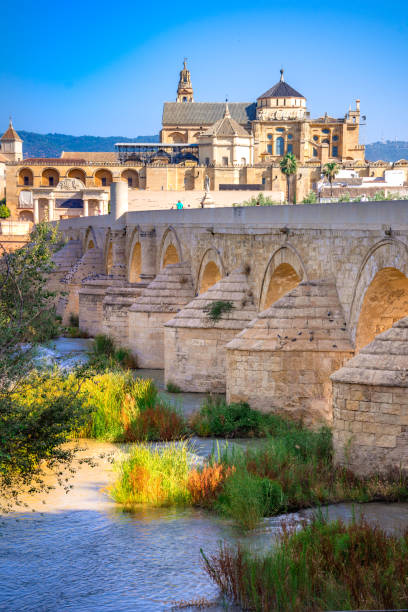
x=284, y=271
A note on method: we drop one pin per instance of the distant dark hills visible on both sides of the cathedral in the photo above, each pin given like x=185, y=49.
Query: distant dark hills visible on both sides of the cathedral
x=52, y=145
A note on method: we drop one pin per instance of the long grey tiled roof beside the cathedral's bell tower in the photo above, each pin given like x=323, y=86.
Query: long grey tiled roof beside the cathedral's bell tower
x=206, y=113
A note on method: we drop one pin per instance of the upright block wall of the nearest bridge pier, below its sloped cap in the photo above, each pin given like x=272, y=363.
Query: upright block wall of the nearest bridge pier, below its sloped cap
x=370, y=427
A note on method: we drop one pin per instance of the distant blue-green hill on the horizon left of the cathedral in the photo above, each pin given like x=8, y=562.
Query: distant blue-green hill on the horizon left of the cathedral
x=52, y=145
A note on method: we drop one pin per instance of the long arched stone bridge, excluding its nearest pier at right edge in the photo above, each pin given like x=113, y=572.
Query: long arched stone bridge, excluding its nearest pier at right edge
x=307, y=286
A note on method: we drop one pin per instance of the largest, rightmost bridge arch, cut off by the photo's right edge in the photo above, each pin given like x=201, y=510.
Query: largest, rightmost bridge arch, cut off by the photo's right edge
x=380, y=295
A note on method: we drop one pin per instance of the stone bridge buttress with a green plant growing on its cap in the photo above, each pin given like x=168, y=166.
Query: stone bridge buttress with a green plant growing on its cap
x=195, y=345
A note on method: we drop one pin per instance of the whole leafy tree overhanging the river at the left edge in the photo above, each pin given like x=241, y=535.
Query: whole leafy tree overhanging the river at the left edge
x=31, y=432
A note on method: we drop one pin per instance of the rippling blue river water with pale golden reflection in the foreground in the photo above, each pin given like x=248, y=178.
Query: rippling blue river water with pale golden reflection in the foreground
x=80, y=552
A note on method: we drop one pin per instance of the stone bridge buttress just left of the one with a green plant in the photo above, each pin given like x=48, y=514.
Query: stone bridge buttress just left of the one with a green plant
x=165, y=295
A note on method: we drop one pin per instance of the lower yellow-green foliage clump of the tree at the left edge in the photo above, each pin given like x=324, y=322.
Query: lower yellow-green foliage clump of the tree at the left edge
x=35, y=420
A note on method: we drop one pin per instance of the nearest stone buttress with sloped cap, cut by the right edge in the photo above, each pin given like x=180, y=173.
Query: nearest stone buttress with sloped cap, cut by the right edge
x=370, y=405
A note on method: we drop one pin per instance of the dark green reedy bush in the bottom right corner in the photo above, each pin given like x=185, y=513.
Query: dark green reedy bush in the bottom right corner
x=324, y=566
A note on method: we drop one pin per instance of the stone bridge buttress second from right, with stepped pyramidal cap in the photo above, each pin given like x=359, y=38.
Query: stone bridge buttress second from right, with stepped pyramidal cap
x=282, y=361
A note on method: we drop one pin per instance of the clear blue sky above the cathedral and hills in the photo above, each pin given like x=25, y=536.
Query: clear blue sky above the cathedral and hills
x=105, y=68
